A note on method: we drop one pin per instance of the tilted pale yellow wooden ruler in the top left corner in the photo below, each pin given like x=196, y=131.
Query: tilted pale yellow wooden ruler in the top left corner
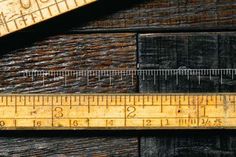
x=18, y=14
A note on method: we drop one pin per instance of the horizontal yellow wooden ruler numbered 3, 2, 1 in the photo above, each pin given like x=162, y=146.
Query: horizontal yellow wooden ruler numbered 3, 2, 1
x=117, y=111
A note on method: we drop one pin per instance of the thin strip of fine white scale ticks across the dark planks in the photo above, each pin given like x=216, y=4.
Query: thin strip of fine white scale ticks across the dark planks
x=150, y=75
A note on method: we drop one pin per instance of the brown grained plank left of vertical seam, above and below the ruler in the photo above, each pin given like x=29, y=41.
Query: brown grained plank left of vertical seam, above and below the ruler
x=78, y=51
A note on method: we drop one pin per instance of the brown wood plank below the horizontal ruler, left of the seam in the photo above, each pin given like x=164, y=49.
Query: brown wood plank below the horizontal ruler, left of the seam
x=68, y=146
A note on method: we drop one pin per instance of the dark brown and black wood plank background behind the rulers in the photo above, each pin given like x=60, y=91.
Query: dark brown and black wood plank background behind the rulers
x=124, y=34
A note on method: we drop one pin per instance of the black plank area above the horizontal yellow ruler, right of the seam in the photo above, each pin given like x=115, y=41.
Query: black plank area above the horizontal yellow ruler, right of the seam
x=187, y=51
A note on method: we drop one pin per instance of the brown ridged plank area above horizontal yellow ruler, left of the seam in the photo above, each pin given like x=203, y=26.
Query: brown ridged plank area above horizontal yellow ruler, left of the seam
x=70, y=52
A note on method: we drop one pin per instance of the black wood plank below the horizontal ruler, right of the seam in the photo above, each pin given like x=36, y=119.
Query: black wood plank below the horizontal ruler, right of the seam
x=202, y=143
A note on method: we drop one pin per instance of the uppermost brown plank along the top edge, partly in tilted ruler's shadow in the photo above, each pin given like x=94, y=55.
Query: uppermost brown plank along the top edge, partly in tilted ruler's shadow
x=145, y=16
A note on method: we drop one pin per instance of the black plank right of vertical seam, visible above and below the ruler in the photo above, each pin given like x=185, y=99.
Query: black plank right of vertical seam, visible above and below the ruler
x=188, y=50
